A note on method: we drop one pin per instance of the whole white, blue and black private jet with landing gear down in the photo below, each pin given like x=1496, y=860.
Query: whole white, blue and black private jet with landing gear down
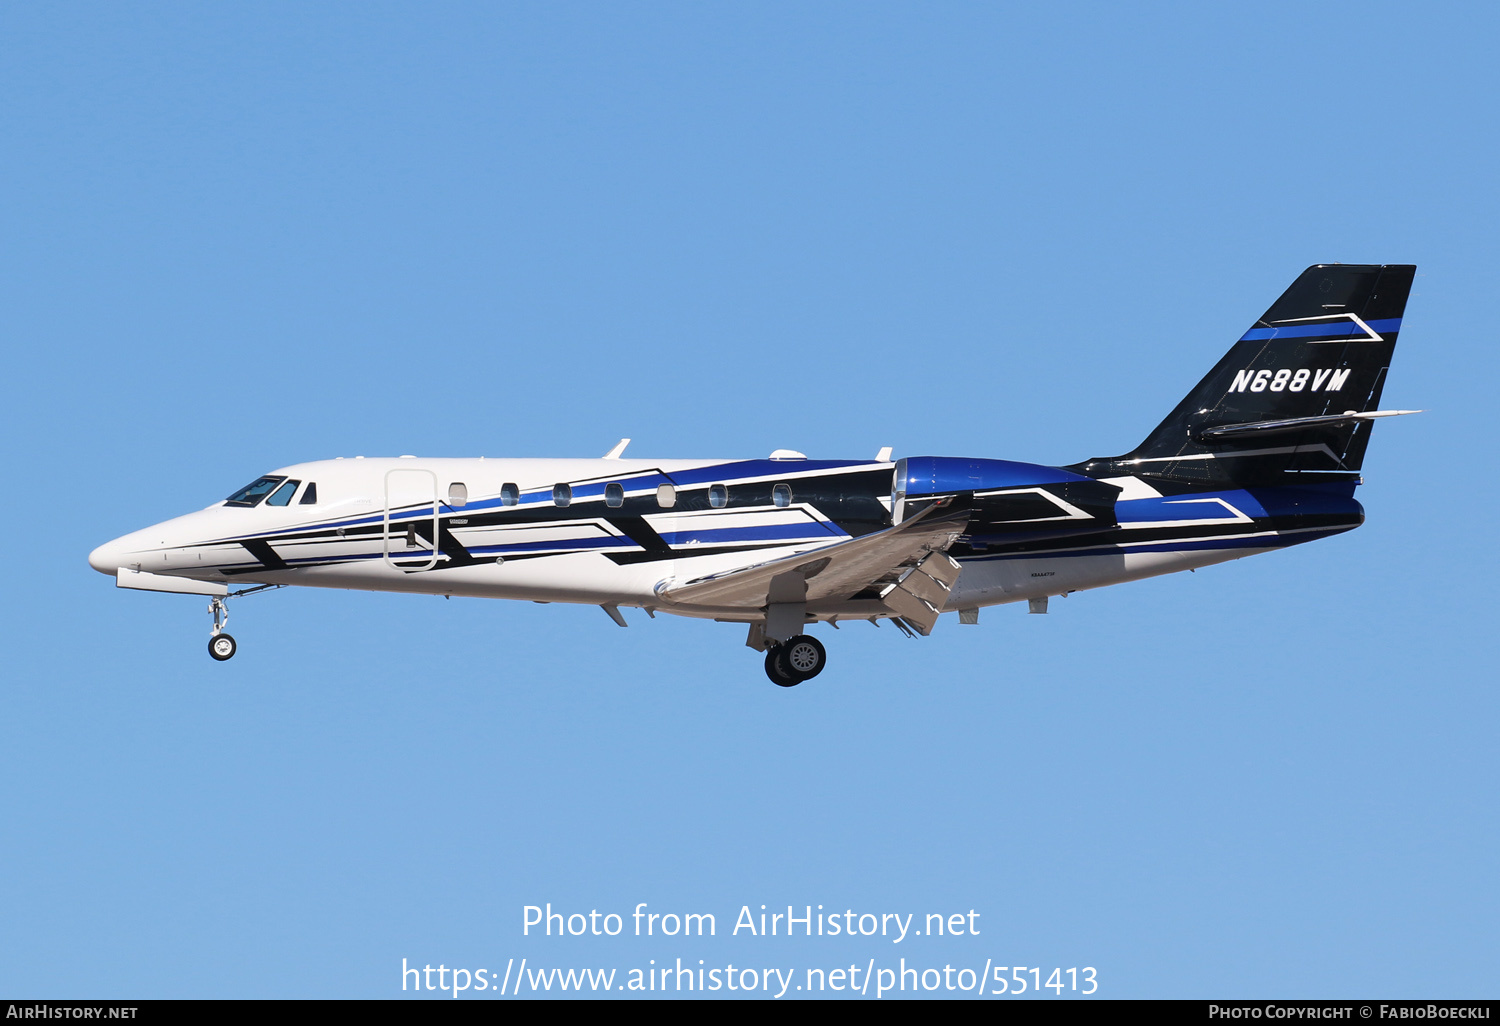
x=1262, y=455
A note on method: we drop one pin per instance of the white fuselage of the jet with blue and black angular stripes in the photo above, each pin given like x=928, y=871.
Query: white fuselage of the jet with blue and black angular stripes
x=506, y=529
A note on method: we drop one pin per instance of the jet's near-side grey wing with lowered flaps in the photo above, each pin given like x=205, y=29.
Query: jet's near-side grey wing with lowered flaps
x=902, y=566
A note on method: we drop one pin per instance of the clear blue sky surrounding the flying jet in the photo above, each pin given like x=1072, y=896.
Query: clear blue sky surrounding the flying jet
x=242, y=238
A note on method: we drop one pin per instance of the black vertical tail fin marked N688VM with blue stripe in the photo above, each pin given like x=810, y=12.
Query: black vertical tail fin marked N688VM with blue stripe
x=1295, y=395
